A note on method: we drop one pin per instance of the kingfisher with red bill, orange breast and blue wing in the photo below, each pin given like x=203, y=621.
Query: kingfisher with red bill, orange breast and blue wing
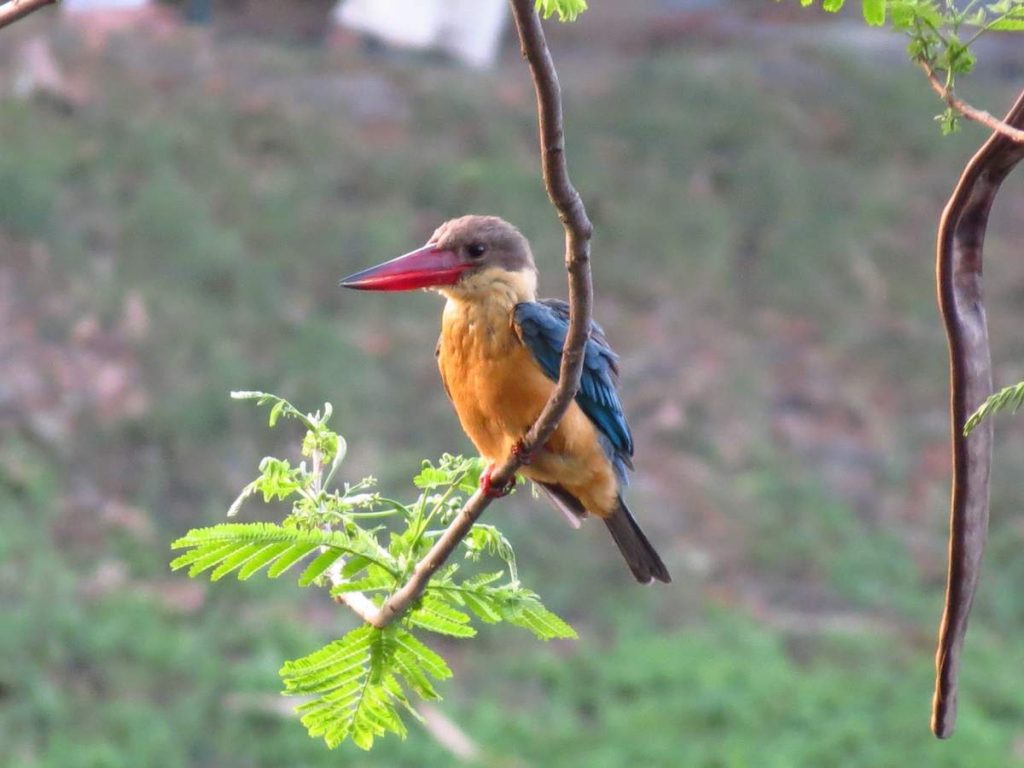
x=499, y=355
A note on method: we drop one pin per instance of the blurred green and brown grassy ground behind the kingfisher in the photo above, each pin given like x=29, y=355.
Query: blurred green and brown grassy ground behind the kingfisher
x=177, y=205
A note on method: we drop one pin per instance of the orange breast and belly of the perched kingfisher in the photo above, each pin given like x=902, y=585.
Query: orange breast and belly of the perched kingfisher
x=499, y=391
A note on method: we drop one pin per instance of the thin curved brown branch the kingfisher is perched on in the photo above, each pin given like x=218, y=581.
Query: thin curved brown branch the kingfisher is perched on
x=578, y=232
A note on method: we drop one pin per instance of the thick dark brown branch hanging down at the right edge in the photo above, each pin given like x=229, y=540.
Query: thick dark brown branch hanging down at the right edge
x=959, y=273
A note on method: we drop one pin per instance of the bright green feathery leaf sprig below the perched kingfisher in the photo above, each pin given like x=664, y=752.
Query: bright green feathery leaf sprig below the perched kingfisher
x=354, y=542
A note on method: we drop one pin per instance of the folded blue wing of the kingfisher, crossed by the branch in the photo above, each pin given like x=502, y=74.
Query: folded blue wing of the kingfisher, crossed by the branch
x=542, y=326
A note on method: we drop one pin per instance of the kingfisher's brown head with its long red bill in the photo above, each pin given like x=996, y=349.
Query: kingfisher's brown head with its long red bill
x=466, y=259
